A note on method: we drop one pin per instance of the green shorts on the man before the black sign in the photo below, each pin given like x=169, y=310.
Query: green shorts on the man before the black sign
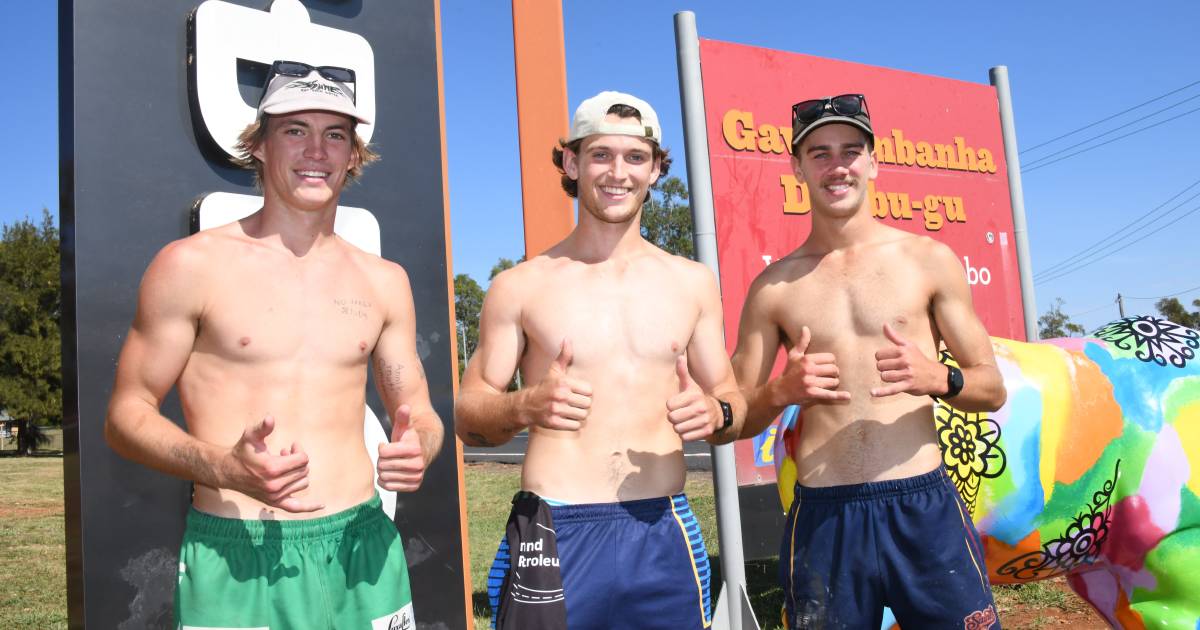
x=345, y=571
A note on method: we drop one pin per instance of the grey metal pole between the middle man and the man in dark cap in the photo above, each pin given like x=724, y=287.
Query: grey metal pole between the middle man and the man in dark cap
x=733, y=604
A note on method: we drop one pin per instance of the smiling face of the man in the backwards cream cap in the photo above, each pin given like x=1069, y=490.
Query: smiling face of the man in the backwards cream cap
x=614, y=173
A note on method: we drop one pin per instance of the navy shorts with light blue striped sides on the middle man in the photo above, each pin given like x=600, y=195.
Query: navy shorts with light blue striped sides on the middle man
x=638, y=565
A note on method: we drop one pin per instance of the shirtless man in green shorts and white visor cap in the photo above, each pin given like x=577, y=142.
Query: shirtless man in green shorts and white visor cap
x=267, y=326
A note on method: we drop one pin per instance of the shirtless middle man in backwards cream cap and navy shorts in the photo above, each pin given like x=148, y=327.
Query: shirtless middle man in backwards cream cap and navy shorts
x=622, y=353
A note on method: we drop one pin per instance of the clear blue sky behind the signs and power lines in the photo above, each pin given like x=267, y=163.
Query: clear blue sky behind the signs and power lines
x=1071, y=64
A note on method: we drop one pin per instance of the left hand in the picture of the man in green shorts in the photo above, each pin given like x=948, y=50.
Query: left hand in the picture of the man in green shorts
x=253, y=470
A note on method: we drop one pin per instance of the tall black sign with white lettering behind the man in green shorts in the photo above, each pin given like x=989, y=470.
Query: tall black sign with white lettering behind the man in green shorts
x=137, y=154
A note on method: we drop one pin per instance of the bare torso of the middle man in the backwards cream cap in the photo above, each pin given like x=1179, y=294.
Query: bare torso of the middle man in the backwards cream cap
x=628, y=320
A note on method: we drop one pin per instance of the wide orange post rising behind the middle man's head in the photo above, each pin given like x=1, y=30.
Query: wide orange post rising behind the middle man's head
x=542, y=121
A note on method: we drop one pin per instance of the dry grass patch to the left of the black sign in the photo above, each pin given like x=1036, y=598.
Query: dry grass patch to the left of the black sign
x=33, y=561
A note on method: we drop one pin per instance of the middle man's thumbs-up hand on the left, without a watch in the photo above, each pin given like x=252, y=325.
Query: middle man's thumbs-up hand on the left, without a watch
x=560, y=401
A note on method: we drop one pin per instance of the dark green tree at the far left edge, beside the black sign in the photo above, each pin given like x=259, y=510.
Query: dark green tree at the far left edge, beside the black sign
x=31, y=308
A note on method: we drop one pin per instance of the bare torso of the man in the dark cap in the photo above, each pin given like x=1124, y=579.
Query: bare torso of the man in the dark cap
x=845, y=297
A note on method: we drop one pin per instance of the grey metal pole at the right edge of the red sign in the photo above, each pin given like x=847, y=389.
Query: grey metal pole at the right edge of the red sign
x=999, y=76
